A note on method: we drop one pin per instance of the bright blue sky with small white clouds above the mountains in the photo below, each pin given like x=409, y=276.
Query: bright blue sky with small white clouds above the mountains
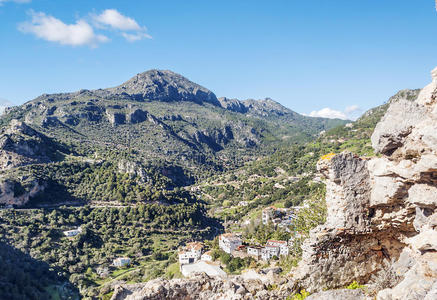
x=344, y=56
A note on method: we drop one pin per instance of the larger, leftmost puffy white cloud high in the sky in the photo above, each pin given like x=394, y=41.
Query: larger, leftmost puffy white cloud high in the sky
x=54, y=30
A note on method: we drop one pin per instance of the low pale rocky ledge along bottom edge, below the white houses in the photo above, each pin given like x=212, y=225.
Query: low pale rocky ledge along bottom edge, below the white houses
x=203, y=287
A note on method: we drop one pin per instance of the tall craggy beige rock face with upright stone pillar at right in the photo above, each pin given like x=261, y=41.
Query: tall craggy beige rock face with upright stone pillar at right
x=382, y=212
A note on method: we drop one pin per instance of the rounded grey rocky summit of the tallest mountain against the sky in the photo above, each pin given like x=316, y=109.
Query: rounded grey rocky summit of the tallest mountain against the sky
x=165, y=85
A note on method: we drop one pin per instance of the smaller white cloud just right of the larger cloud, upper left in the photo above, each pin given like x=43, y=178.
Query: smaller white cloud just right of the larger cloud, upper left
x=130, y=29
